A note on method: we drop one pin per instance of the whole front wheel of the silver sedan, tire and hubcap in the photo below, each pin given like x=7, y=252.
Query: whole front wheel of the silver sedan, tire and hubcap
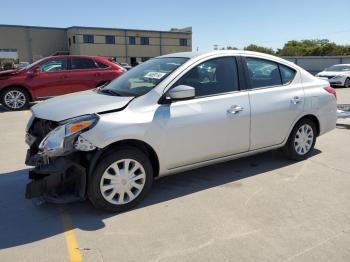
x=110, y=189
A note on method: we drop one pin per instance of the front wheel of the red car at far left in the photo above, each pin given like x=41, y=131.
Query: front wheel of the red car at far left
x=15, y=99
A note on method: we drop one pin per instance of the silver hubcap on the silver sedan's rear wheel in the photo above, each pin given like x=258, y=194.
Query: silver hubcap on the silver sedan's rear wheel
x=303, y=139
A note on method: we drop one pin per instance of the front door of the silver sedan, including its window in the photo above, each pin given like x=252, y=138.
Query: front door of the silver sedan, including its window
x=215, y=123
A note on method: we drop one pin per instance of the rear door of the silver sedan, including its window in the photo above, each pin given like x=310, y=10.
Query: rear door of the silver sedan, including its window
x=276, y=99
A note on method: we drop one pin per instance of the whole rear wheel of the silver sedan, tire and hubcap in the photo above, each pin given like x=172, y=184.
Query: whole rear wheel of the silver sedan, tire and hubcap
x=301, y=141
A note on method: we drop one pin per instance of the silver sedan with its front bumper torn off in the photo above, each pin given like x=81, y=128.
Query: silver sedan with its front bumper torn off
x=164, y=117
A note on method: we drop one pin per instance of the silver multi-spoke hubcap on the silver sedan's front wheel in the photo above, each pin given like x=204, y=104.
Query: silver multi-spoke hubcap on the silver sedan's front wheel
x=122, y=181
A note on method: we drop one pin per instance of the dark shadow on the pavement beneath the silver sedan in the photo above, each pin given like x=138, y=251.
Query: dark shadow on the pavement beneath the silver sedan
x=23, y=222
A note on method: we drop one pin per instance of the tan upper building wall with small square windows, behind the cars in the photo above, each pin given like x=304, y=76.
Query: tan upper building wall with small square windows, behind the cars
x=159, y=43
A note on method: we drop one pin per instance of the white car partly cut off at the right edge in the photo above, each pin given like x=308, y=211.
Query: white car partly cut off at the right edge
x=336, y=75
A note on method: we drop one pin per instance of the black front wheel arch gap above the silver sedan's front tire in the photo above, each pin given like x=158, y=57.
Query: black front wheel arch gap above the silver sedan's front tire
x=141, y=145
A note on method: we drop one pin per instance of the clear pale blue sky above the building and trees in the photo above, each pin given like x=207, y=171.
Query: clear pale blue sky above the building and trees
x=236, y=23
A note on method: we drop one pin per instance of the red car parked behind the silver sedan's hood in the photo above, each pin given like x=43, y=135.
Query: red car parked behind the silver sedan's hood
x=53, y=76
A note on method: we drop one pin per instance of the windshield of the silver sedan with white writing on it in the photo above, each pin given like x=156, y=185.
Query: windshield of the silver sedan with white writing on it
x=144, y=77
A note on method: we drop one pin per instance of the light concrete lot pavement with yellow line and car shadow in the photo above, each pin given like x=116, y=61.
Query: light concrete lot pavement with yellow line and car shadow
x=260, y=208
